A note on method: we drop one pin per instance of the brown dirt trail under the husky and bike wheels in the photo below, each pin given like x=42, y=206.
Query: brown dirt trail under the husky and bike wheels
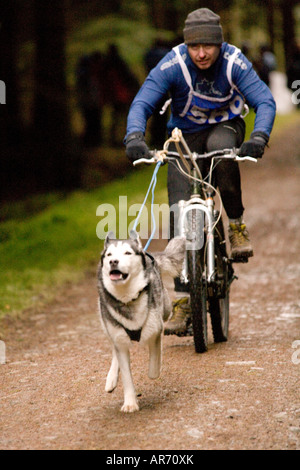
x=240, y=395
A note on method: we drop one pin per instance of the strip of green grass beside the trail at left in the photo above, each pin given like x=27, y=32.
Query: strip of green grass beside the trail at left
x=59, y=244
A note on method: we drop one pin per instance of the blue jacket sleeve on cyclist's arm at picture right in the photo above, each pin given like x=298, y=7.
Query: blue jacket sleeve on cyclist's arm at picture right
x=256, y=93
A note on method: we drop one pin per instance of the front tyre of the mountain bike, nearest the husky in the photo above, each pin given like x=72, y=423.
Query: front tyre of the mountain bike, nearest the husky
x=197, y=287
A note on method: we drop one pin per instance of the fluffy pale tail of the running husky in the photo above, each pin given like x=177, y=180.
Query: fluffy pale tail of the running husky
x=170, y=261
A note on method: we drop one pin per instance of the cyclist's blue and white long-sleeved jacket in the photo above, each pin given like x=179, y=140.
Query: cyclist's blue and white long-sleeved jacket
x=202, y=98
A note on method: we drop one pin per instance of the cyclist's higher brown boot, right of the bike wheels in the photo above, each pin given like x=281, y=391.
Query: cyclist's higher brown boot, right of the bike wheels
x=241, y=248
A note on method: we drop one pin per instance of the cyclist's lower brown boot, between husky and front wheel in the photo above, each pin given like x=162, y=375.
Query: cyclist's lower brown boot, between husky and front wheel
x=180, y=319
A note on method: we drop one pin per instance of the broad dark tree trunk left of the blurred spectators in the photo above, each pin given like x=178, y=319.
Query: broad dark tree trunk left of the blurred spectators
x=55, y=160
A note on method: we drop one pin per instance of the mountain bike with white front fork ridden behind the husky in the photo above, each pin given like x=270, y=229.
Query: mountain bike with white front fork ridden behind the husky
x=207, y=269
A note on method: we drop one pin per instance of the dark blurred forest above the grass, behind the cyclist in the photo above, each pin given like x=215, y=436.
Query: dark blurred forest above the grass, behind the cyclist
x=41, y=43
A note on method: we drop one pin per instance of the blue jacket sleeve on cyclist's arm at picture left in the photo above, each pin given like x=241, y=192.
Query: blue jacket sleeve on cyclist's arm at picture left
x=155, y=87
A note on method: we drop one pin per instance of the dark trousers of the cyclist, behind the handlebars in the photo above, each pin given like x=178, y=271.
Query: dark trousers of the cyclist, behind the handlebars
x=226, y=174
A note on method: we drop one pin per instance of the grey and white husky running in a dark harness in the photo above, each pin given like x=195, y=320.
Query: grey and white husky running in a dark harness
x=134, y=303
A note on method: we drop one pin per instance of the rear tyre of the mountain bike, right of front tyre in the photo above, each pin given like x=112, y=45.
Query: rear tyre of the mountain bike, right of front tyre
x=218, y=303
